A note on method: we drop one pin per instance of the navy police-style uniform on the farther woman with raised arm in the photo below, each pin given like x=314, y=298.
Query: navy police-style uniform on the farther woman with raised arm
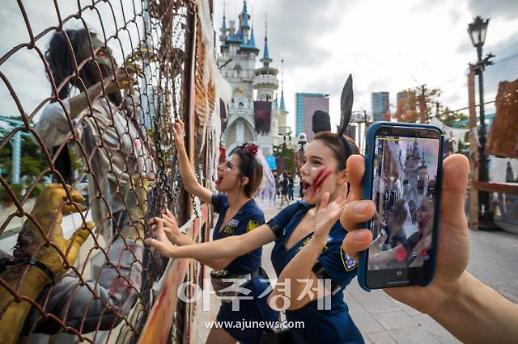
x=255, y=308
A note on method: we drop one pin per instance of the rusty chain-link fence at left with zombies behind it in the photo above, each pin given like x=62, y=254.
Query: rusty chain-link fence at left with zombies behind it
x=90, y=90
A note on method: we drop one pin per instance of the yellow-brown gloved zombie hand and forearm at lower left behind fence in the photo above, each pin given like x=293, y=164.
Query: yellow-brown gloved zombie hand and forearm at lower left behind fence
x=43, y=241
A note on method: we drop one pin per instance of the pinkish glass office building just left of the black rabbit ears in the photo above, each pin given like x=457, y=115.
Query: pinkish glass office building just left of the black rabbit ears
x=306, y=104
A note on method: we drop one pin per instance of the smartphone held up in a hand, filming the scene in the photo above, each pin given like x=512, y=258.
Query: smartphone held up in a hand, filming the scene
x=403, y=171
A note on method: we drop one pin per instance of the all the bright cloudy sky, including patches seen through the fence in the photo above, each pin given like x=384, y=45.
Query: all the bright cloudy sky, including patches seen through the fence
x=386, y=45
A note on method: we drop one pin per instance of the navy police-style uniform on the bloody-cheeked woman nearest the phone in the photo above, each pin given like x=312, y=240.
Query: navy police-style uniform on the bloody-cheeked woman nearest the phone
x=333, y=325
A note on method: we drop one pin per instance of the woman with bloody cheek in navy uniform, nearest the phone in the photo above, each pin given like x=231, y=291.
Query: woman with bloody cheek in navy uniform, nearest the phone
x=307, y=248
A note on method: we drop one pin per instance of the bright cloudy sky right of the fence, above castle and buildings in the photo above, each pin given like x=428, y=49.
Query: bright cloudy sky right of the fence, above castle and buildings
x=386, y=45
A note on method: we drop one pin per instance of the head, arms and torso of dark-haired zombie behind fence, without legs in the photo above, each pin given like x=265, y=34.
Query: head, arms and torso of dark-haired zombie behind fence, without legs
x=106, y=134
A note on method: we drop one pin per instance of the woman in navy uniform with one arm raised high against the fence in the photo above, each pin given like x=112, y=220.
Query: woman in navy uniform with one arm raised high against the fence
x=239, y=177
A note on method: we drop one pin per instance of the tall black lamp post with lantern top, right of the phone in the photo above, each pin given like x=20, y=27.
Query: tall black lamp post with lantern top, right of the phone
x=477, y=31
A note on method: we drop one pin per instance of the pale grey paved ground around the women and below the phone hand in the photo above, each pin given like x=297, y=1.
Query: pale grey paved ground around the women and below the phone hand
x=381, y=319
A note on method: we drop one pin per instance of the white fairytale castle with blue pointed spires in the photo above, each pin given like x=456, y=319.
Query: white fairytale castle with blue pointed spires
x=254, y=113
